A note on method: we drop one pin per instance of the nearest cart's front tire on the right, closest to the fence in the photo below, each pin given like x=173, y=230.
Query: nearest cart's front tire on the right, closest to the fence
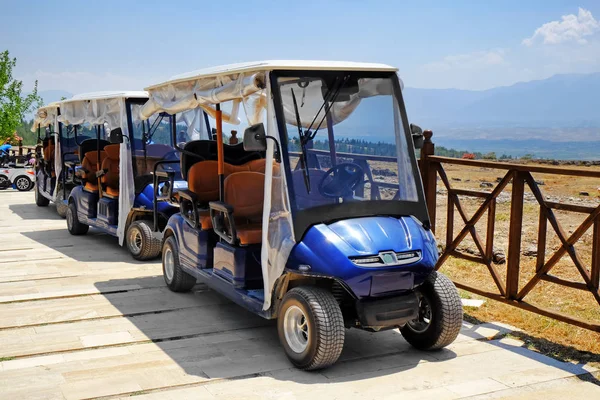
x=440, y=315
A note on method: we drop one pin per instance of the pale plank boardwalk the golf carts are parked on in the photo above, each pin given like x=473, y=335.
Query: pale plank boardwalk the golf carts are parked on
x=80, y=319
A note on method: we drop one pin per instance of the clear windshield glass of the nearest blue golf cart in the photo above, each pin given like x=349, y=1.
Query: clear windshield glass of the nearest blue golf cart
x=346, y=140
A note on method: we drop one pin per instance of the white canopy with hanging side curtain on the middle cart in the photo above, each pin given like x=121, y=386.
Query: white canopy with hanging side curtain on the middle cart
x=110, y=108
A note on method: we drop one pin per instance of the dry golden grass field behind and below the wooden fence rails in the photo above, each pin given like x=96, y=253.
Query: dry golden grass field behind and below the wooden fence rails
x=555, y=338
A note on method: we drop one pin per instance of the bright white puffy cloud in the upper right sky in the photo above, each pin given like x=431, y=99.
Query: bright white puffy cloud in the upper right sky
x=571, y=28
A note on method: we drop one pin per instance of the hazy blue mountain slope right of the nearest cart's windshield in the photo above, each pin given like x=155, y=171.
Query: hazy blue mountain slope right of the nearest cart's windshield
x=560, y=101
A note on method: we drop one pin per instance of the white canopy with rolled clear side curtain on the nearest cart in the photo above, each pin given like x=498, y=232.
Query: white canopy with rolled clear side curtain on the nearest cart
x=248, y=84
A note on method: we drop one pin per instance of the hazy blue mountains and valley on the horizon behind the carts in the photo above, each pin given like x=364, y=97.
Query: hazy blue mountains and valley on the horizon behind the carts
x=558, y=117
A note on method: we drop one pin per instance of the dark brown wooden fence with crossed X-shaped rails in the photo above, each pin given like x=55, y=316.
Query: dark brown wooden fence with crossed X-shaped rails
x=508, y=288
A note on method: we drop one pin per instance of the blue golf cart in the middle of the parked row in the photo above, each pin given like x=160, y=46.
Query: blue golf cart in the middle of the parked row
x=129, y=173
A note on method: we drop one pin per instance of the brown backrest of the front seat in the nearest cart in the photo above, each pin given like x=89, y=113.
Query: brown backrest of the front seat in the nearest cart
x=245, y=192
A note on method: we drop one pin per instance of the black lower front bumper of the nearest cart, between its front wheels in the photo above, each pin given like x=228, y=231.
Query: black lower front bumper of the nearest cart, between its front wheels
x=387, y=312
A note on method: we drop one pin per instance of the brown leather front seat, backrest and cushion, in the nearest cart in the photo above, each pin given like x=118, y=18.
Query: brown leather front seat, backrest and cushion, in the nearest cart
x=244, y=191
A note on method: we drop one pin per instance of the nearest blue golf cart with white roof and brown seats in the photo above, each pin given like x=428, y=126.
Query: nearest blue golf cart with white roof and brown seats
x=318, y=217
